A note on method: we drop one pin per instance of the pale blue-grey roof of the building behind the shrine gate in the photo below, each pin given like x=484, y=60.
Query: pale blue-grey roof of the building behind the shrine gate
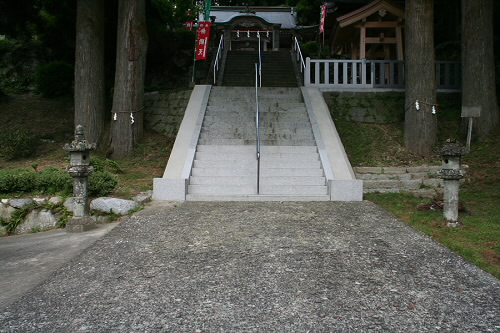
x=286, y=16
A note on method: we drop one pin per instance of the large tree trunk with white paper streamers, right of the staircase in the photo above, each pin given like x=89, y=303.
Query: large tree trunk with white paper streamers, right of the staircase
x=420, y=133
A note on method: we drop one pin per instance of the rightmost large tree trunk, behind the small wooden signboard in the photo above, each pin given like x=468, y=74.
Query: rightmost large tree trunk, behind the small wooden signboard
x=478, y=67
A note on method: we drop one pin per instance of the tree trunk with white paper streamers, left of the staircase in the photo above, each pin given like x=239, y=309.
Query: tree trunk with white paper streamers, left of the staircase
x=132, y=42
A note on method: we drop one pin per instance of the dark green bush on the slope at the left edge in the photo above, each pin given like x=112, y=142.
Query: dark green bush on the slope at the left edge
x=17, y=143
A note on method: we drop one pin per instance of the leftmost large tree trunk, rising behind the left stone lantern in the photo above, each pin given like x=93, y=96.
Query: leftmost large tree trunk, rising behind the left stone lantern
x=89, y=68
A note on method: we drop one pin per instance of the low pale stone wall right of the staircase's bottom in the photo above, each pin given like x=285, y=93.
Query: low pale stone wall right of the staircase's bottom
x=423, y=181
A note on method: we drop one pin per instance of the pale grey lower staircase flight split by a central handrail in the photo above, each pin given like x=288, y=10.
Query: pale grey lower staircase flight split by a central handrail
x=225, y=162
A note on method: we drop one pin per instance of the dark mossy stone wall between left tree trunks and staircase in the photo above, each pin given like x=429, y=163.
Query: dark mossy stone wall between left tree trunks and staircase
x=164, y=110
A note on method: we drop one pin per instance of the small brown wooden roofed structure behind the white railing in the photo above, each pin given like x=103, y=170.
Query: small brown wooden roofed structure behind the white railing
x=374, y=31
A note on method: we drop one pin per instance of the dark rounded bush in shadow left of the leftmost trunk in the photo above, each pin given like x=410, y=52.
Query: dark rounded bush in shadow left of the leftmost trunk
x=54, y=79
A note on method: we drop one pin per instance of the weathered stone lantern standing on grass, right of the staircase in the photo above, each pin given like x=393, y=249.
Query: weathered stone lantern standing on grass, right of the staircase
x=451, y=173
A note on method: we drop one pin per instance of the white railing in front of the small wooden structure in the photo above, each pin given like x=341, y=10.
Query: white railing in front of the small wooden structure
x=372, y=74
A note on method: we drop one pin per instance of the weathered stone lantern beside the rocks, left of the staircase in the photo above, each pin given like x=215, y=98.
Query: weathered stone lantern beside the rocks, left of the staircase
x=80, y=170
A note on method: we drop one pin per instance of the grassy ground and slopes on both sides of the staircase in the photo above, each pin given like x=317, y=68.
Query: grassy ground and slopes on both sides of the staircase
x=477, y=239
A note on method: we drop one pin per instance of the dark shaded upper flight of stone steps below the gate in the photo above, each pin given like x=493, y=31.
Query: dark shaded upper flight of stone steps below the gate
x=277, y=69
